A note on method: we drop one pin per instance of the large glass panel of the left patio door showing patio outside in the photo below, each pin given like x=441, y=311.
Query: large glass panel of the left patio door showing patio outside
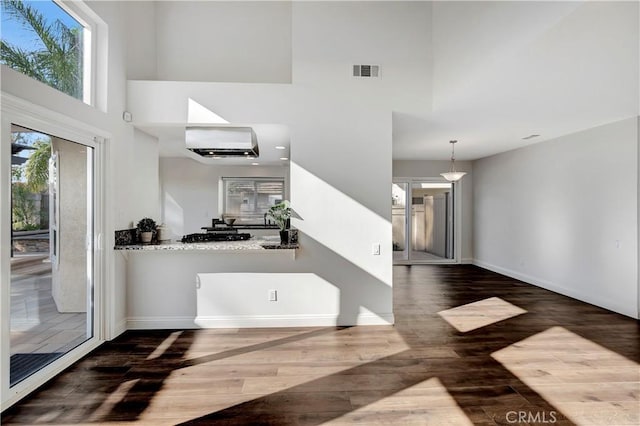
x=52, y=252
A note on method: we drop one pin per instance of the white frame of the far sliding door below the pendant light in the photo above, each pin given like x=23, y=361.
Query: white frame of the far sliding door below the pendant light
x=457, y=220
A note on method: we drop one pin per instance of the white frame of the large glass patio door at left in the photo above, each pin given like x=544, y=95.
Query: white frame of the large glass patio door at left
x=17, y=111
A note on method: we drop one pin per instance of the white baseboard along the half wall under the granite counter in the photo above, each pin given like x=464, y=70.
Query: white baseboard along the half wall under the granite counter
x=255, y=321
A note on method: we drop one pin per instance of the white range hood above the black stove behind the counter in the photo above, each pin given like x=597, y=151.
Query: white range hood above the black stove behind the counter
x=222, y=141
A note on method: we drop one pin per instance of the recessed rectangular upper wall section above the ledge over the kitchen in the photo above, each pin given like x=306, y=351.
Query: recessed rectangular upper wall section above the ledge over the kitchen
x=224, y=41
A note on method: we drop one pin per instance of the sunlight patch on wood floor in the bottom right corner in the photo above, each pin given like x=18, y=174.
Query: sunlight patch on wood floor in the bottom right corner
x=586, y=382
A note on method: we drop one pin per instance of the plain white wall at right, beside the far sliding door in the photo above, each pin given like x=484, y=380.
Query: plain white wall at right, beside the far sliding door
x=563, y=215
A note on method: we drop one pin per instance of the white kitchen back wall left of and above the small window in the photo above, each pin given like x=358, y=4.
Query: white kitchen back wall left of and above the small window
x=189, y=191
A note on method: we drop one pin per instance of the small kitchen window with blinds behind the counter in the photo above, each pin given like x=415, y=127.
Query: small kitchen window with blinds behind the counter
x=248, y=199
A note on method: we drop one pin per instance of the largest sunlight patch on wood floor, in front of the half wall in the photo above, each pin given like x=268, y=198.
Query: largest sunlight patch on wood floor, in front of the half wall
x=239, y=366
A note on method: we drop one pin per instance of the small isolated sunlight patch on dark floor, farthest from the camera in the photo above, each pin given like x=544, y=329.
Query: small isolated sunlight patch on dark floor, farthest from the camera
x=480, y=314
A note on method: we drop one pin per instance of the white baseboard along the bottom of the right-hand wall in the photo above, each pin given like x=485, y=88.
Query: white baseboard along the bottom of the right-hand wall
x=556, y=288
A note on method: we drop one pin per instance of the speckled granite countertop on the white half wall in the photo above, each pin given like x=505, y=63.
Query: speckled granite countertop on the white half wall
x=252, y=244
